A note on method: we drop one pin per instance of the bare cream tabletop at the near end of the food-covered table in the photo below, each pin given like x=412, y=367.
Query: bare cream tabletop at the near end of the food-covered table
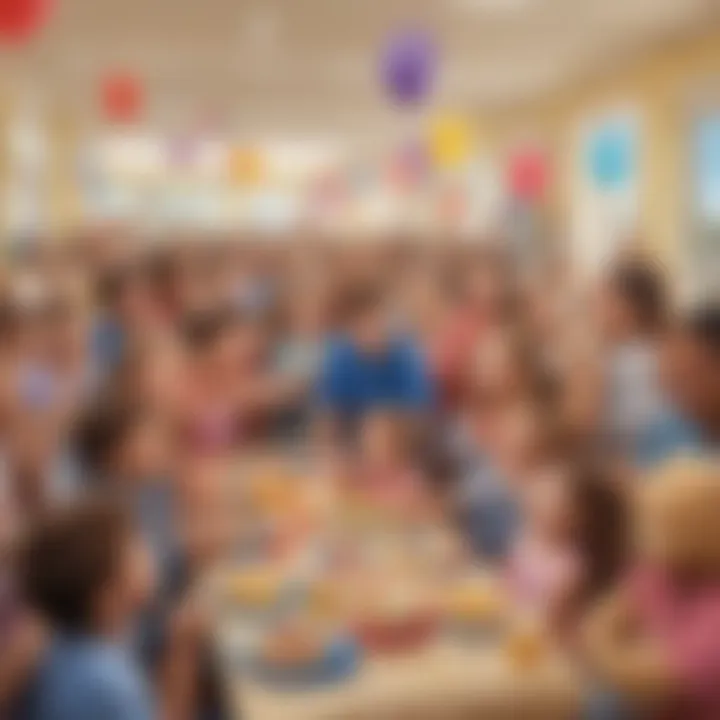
x=448, y=679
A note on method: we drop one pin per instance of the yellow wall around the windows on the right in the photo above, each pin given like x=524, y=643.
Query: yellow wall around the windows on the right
x=661, y=86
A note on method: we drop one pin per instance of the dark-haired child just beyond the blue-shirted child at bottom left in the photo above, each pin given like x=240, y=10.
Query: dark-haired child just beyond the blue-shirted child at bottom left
x=126, y=446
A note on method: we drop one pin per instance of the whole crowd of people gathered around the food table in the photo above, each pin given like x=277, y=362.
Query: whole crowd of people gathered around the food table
x=568, y=426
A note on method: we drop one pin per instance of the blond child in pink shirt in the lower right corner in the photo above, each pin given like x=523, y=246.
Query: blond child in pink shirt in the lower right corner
x=656, y=641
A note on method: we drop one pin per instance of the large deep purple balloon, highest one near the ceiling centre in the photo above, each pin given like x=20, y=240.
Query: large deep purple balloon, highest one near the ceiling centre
x=409, y=66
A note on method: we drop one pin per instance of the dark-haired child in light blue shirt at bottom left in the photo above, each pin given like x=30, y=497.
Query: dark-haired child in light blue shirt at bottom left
x=82, y=570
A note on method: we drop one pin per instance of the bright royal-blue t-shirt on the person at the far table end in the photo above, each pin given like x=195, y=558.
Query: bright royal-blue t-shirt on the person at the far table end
x=353, y=382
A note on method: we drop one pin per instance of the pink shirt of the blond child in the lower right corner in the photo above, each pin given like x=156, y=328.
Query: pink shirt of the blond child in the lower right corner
x=687, y=621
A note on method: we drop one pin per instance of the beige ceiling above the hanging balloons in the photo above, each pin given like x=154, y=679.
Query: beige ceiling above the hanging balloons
x=310, y=66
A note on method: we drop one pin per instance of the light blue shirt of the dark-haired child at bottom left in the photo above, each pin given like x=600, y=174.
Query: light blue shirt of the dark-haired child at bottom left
x=87, y=679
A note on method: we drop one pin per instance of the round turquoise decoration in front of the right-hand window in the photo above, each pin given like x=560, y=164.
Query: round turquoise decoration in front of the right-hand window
x=611, y=155
